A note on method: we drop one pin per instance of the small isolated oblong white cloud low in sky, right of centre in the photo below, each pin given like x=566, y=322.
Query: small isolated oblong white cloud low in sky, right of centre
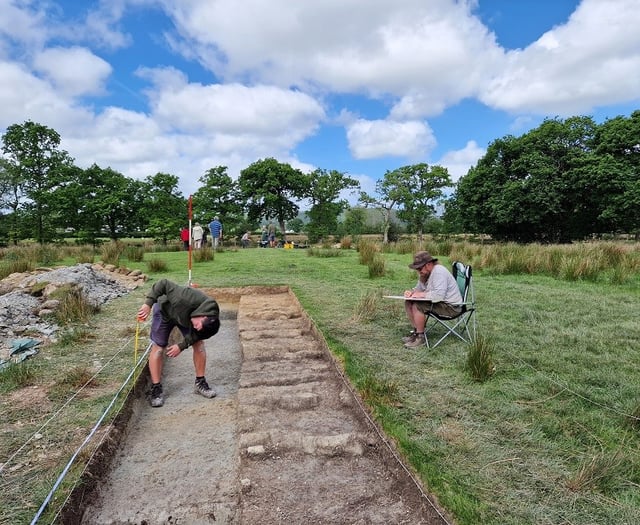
x=377, y=138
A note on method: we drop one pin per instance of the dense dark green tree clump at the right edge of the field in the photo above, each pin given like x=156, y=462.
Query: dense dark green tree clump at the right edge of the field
x=565, y=180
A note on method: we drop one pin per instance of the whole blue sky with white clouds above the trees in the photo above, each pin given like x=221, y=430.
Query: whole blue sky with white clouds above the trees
x=359, y=86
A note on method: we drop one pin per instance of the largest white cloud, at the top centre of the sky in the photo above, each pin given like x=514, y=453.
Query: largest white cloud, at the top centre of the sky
x=367, y=46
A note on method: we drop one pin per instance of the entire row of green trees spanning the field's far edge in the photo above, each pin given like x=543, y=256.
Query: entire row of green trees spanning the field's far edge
x=565, y=180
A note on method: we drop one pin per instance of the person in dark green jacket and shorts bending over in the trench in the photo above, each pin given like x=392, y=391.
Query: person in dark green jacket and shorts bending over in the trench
x=195, y=314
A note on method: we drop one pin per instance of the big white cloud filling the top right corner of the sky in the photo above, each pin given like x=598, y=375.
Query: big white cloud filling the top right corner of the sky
x=591, y=61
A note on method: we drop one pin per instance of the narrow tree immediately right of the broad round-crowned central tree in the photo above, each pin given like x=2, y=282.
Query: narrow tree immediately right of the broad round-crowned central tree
x=324, y=190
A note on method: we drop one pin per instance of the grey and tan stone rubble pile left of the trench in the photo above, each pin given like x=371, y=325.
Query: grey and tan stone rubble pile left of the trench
x=25, y=298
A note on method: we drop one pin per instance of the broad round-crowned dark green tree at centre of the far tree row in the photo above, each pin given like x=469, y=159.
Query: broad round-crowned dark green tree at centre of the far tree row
x=270, y=190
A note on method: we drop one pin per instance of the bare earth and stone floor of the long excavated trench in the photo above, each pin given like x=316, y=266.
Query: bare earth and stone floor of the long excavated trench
x=284, y=442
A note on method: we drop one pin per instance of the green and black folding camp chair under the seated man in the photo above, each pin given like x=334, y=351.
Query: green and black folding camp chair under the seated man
x=462, y=325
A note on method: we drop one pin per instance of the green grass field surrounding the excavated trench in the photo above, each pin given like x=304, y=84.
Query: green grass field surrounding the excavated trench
x=550, y=437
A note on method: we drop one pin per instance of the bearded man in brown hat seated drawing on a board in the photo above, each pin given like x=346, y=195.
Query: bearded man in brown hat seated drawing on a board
x=439, y=293
